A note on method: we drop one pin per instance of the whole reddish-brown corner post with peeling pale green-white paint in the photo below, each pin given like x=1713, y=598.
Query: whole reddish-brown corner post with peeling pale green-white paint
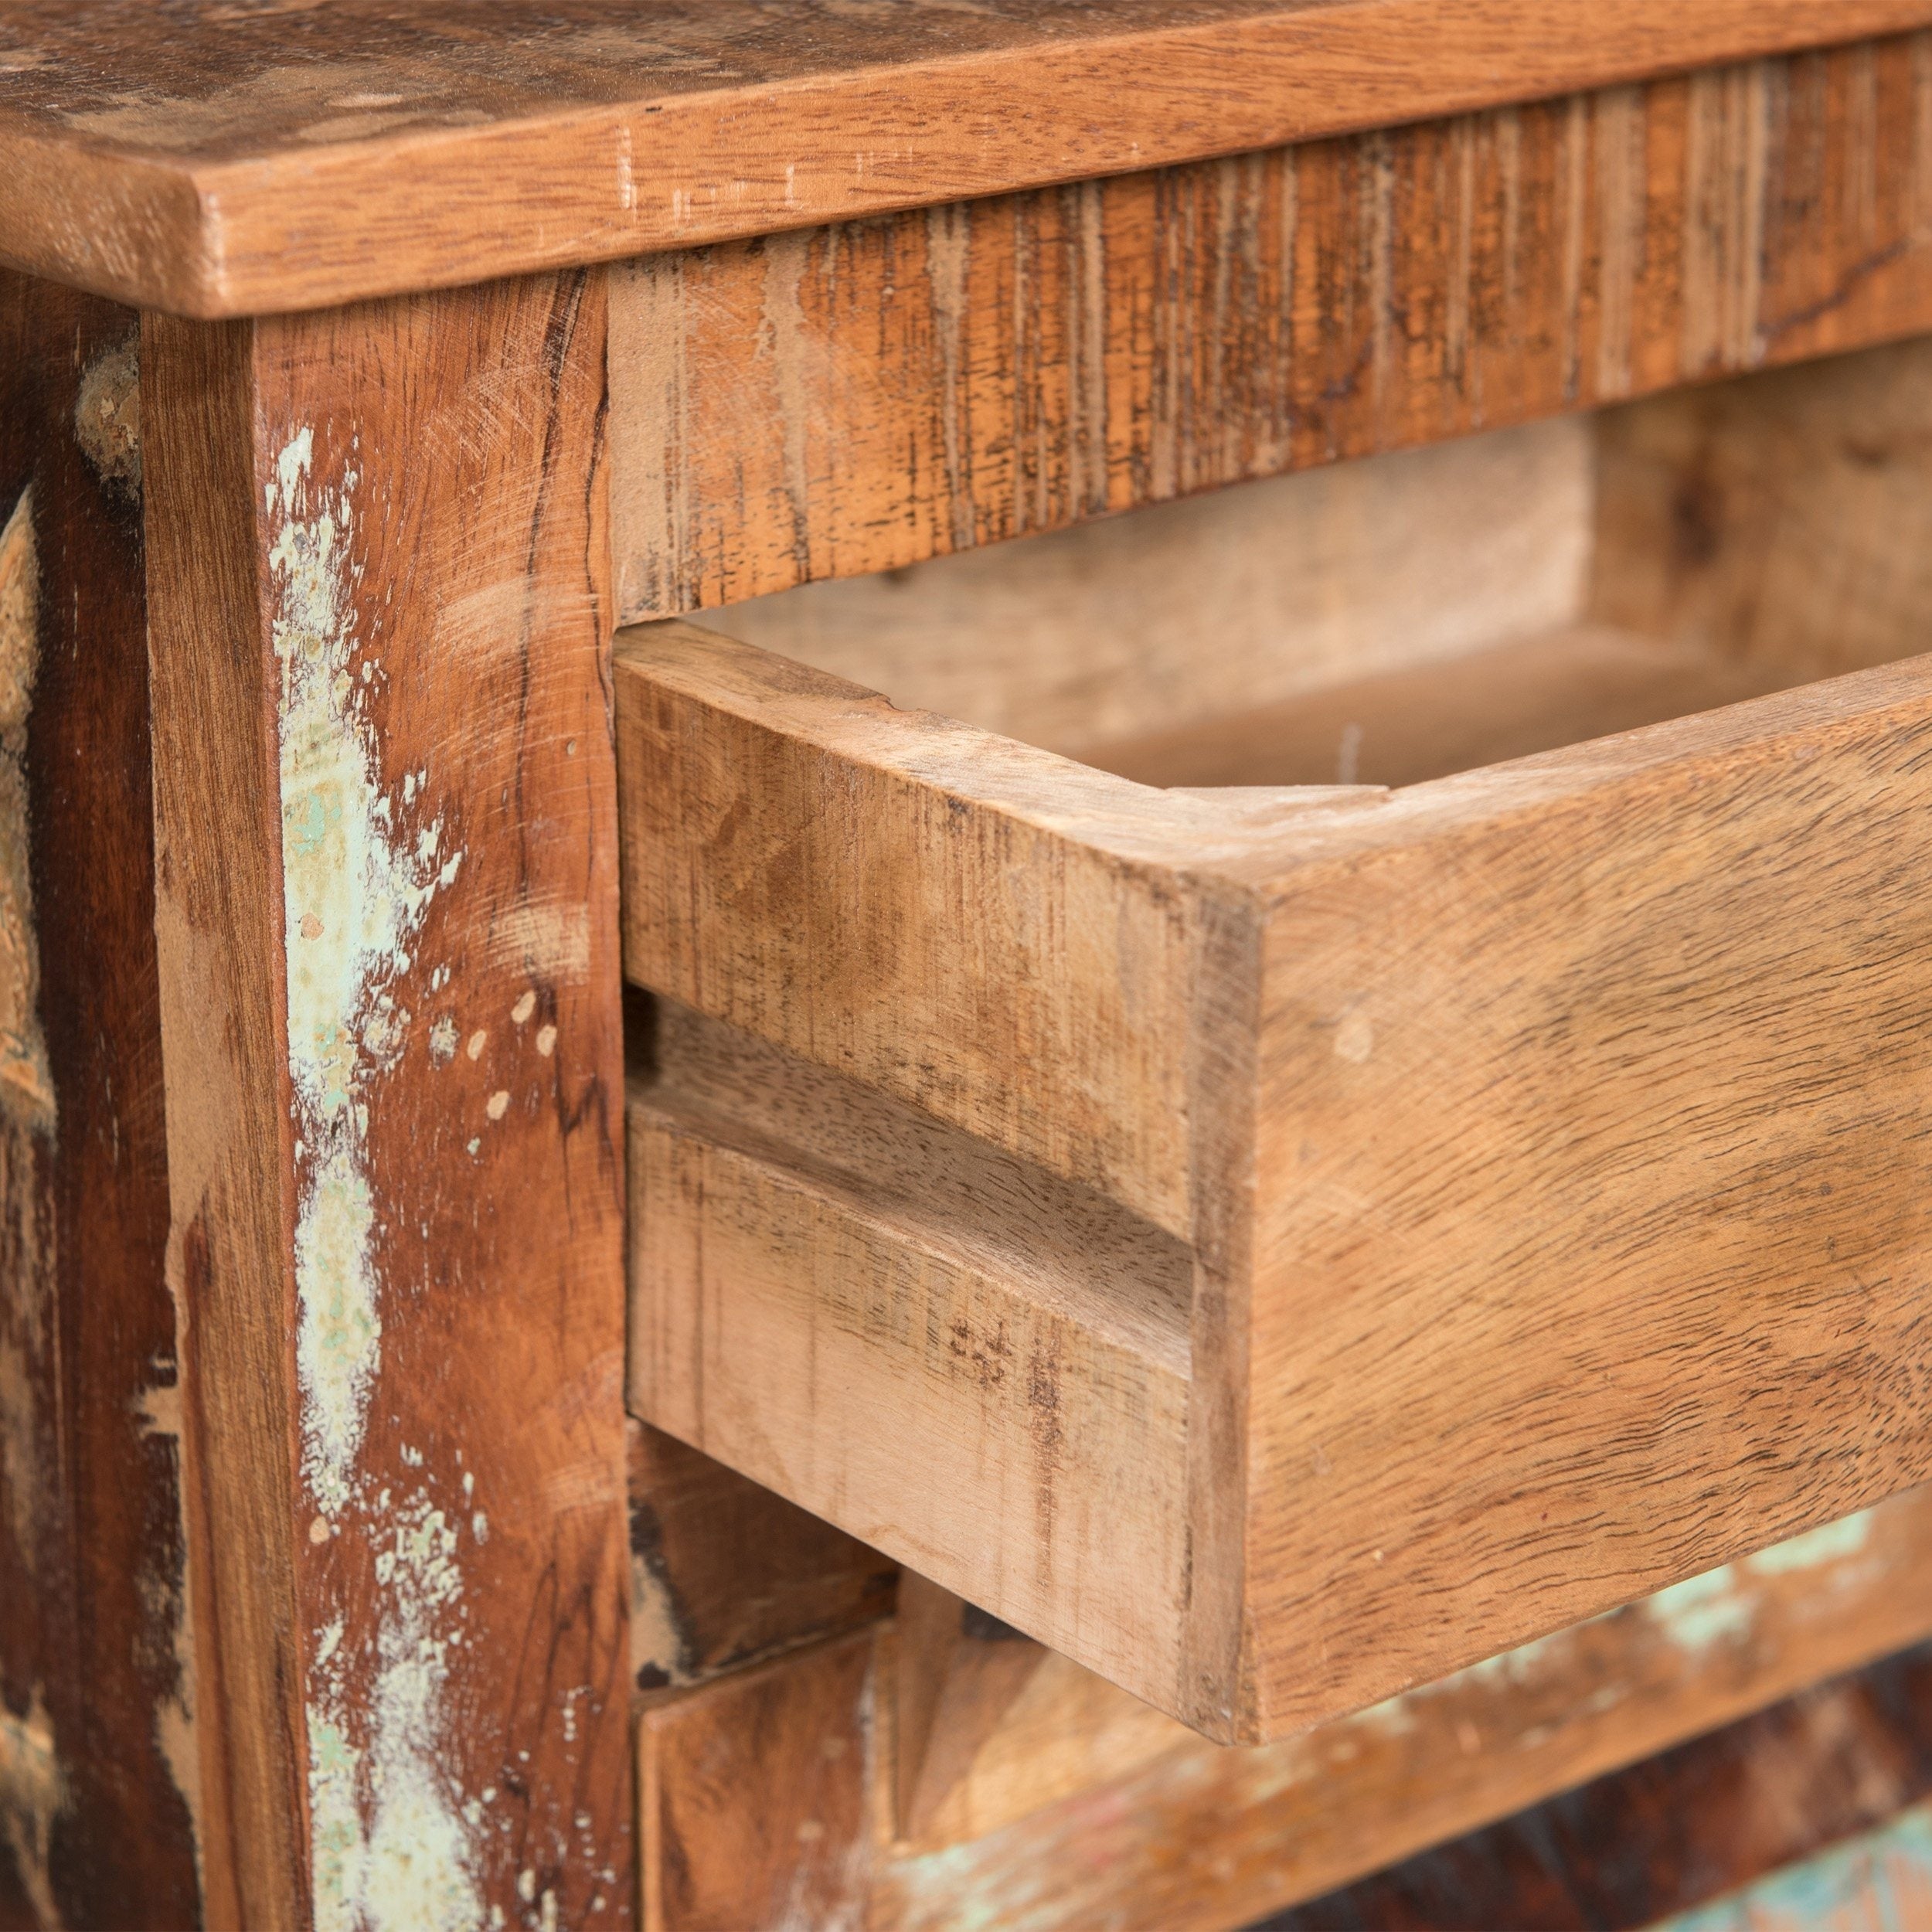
x=395, y=1058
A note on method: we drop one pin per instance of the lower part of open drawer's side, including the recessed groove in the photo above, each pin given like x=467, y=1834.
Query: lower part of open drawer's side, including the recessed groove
x=1038, y=1338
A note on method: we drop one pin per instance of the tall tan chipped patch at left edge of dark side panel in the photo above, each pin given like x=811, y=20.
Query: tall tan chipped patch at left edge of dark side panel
x=26, y=1087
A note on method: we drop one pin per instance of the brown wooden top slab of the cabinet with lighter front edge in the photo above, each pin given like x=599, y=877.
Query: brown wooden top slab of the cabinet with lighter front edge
x=225, y=157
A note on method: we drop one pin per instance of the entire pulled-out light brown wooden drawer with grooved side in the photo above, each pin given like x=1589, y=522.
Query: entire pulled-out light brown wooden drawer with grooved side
x=1282, y=1239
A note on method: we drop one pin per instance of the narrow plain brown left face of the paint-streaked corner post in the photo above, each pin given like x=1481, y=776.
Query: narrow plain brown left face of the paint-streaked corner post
x=219, y=946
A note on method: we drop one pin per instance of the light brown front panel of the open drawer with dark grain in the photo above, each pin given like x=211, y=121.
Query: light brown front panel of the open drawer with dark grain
x=1680, y=1019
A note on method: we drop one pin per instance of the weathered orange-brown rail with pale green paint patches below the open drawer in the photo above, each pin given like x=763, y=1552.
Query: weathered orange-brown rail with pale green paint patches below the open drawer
x=1089, y=1811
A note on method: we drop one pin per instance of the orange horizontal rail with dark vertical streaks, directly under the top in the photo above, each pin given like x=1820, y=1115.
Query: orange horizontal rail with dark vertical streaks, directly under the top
x=1011, y=366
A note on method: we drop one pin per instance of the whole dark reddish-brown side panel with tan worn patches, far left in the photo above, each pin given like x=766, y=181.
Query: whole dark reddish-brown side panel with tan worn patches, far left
x=98, y=1688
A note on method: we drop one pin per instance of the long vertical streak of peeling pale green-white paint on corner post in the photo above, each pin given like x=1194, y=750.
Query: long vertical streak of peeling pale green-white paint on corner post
x=362, y=863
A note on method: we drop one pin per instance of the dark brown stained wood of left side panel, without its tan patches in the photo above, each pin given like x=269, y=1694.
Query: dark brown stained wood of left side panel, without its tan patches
x=94, y=1622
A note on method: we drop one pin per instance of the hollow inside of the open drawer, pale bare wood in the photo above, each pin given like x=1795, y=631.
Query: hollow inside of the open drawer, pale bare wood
x=1423, y=613
